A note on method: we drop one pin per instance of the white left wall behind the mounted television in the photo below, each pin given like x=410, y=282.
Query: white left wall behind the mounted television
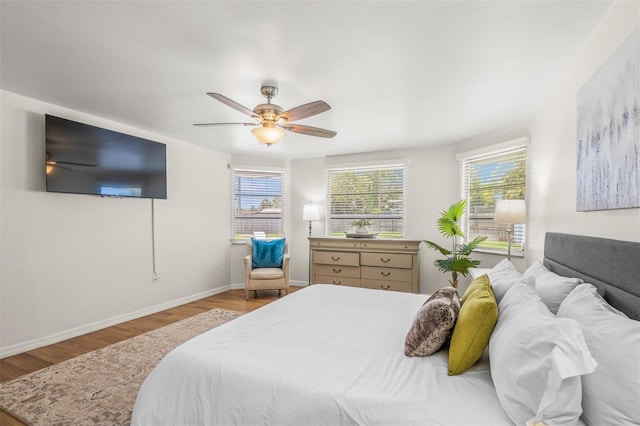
x=75, y=263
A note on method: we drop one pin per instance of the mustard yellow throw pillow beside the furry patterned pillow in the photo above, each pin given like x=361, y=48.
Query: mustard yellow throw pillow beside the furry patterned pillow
x=476, y=320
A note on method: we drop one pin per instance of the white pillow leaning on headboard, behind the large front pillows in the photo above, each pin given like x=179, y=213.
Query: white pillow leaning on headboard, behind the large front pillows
x=551, y=287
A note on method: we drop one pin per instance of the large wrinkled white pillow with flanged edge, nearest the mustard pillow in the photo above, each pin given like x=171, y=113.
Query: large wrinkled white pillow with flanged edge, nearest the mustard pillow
x=537, y=360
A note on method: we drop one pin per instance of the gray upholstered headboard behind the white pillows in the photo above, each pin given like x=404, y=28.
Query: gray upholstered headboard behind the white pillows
x=612, y=266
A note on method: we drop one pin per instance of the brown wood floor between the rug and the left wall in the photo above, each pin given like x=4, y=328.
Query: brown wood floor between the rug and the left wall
x=27, y=362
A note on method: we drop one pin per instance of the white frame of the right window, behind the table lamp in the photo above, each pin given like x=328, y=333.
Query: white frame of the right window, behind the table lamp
x=513, y=149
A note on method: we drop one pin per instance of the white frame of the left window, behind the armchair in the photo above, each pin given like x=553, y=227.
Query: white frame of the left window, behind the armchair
x=257, y=172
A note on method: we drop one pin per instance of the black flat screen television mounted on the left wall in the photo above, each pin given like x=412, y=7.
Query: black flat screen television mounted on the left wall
x=84, y=159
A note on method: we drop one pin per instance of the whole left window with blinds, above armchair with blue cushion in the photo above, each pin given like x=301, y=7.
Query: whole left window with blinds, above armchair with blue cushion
x=258, y=203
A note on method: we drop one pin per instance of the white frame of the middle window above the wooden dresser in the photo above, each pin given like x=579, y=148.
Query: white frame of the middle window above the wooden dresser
x=338, y=229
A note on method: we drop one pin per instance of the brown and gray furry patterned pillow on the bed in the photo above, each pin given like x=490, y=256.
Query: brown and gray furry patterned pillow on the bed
x=433, y=324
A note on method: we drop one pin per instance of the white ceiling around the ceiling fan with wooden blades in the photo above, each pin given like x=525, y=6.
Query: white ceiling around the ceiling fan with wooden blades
x=396, y=74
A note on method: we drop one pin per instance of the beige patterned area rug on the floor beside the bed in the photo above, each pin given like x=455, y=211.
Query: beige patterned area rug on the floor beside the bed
x=100, y=387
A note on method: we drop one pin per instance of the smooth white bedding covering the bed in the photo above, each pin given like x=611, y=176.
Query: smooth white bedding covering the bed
x=324, y=355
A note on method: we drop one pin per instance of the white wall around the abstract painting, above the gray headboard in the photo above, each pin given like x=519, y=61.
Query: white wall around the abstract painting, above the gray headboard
x=552, y=168
